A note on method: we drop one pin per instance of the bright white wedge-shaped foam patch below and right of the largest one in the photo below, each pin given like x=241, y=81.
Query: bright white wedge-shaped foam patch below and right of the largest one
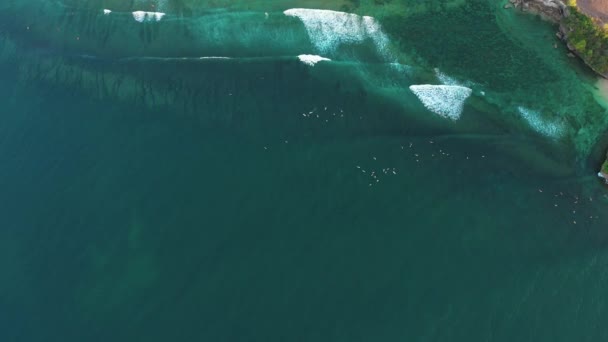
x=444, y=100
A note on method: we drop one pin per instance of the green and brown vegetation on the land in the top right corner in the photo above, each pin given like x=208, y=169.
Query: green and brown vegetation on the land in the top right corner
x=588, y=37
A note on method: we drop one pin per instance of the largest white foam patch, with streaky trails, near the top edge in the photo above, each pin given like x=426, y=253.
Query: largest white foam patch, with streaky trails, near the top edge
x=330, y=29
